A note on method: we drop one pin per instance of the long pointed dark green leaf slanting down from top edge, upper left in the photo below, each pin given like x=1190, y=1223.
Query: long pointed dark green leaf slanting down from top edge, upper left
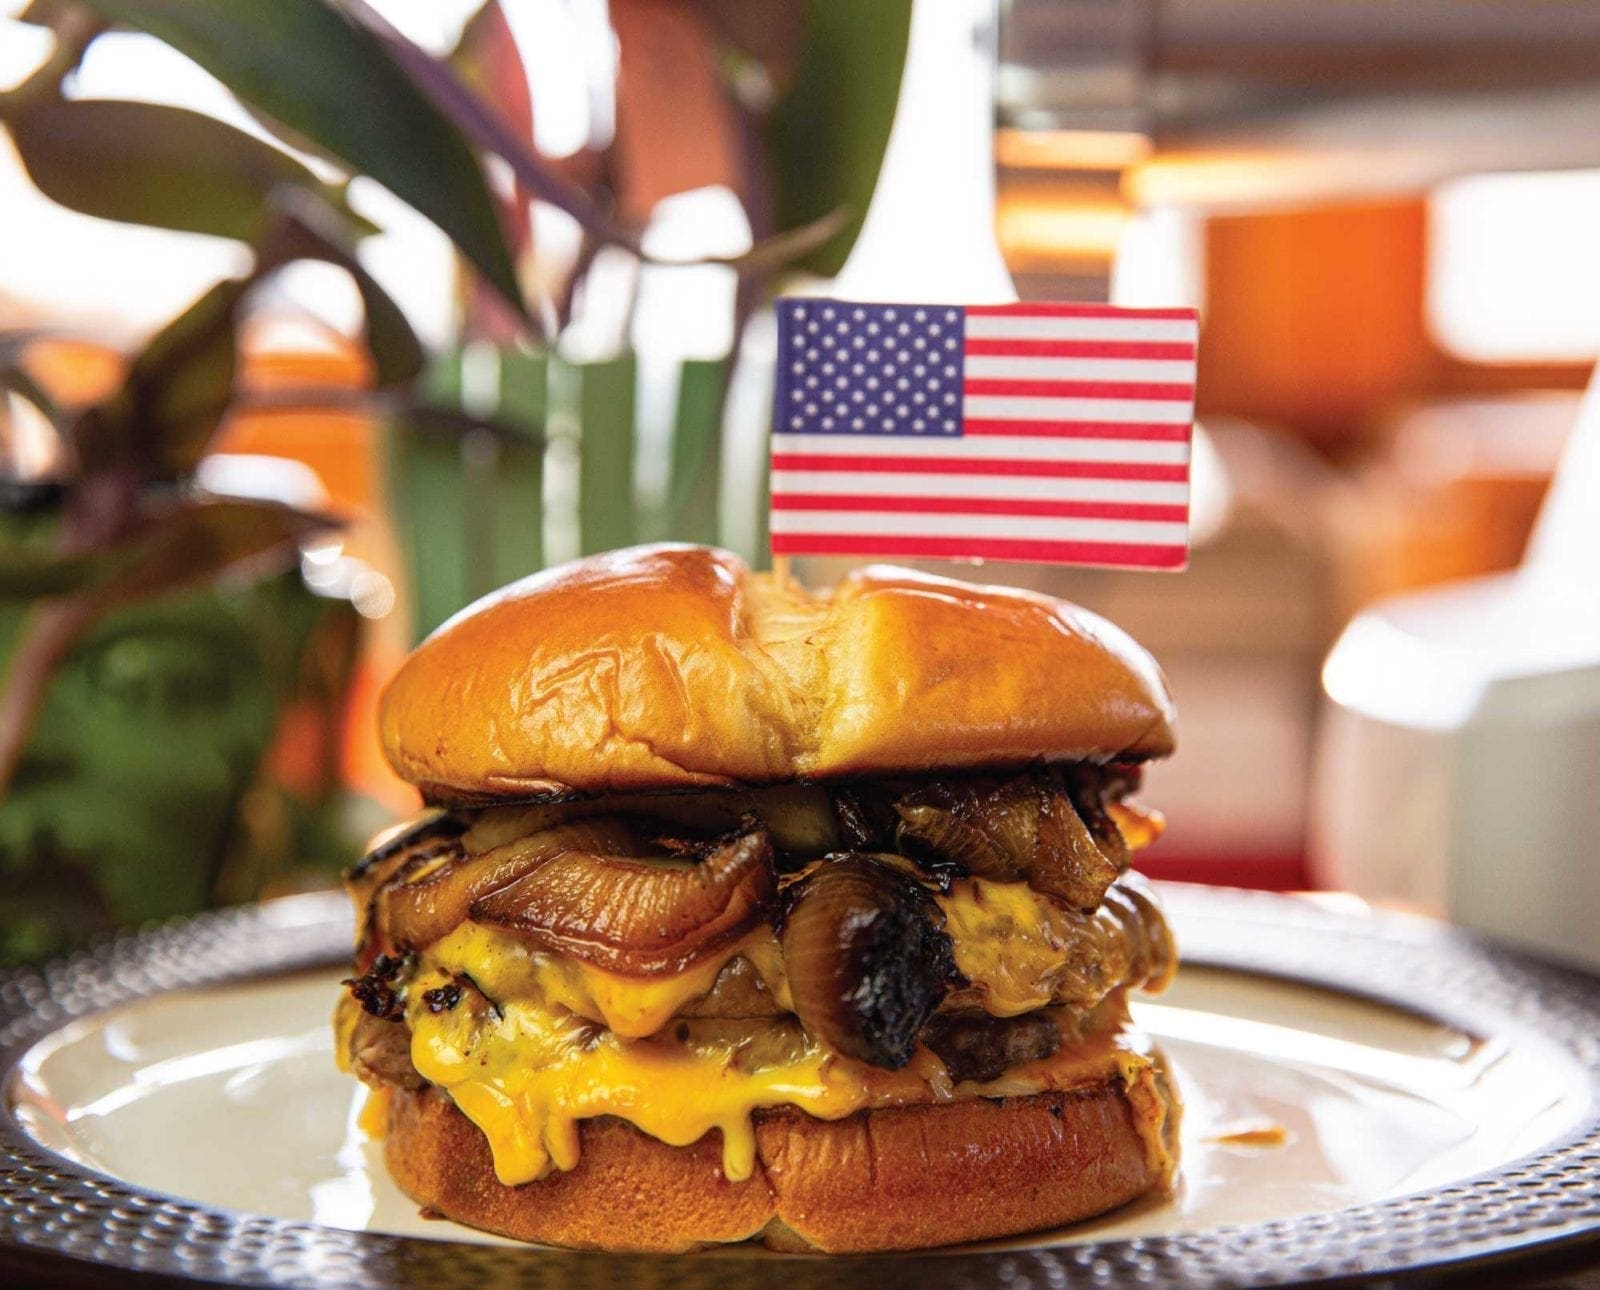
x=332, y=82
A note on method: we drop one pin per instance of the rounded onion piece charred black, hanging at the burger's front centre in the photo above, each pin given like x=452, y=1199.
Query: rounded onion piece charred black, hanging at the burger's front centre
x=866, y=958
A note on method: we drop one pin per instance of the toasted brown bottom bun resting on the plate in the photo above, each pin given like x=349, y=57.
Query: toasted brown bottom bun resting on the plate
x=895, y=1179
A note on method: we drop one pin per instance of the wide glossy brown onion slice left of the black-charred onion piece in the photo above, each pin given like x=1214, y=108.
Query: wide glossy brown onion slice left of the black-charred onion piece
x=639, y=918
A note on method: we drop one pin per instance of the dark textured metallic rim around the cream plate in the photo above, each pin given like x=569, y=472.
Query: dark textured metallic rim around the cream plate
x=92, y=1227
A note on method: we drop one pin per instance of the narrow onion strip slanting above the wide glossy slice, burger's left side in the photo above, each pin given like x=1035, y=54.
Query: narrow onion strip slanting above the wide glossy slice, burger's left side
x=415, y=915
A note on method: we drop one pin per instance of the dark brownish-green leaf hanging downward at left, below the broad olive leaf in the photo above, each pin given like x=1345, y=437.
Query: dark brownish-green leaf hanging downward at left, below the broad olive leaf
x=174, y=396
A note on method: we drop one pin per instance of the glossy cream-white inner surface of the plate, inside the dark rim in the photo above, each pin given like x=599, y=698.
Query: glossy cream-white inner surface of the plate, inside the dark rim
x=230, y=1097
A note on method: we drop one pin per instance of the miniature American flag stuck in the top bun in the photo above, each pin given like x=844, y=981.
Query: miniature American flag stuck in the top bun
x=1052, y=433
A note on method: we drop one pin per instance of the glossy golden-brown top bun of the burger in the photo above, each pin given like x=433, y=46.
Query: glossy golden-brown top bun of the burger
x=676, y=667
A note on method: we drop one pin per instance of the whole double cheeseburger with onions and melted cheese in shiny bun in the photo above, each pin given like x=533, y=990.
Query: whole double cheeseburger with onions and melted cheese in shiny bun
x=746, y=911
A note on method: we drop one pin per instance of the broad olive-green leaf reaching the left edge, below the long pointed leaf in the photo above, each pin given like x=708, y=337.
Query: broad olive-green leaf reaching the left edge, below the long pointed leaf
x=167, y=167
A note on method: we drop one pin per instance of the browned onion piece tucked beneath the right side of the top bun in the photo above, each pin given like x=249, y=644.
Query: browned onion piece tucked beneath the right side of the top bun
x=1026, y=828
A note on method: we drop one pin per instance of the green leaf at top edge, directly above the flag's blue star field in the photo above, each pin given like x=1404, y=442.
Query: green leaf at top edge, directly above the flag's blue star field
x=830, y=129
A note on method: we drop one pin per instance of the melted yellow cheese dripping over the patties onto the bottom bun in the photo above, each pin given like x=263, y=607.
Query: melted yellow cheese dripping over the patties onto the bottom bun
x=548, y=1041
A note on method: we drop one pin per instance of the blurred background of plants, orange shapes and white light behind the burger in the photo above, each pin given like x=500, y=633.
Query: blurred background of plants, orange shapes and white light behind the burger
x=318, y=321
